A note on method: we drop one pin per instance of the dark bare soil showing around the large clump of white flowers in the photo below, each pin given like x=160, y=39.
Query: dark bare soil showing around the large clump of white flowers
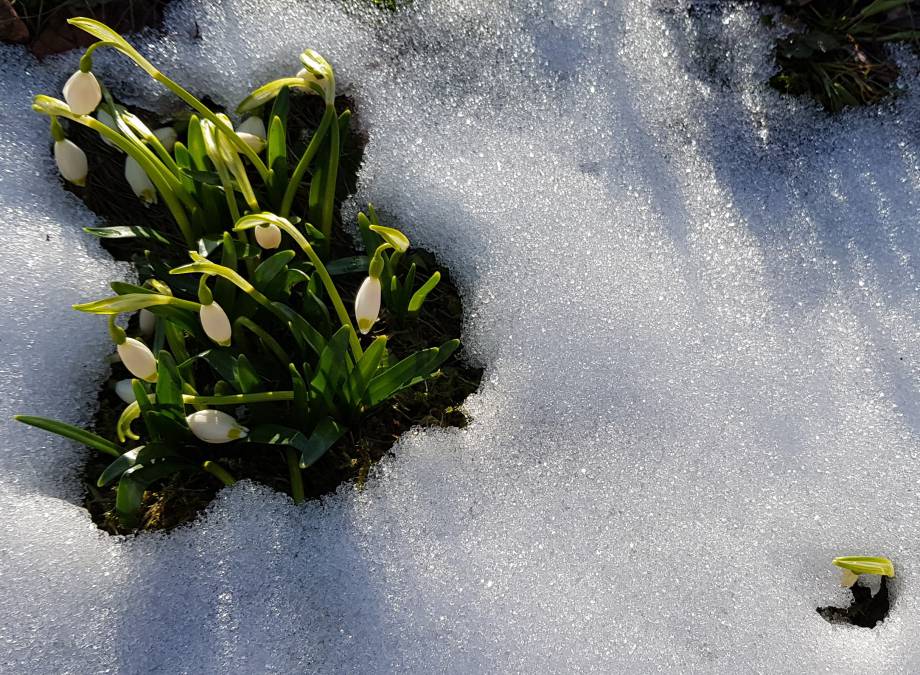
x=434, y=403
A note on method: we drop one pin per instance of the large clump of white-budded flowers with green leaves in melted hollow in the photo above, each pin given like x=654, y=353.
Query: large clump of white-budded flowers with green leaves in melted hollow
x=248, y=341
